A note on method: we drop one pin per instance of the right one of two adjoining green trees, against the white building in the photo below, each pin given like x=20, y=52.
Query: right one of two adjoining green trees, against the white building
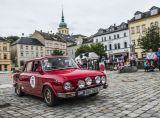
x=98, y=48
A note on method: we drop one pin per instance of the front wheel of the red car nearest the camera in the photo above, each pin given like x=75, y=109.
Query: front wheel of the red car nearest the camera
x=49, y=97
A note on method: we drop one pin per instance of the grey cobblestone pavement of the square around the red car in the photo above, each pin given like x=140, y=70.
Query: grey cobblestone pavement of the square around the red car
x=129, y=95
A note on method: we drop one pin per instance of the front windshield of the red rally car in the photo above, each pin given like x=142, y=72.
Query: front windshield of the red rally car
x=56, y=63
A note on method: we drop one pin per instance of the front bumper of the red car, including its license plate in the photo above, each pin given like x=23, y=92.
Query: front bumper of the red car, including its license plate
x=85, y=92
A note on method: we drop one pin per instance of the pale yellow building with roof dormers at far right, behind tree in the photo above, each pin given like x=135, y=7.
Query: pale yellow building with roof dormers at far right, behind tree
x=138, y=25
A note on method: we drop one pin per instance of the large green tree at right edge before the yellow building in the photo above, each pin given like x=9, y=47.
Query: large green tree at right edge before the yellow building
x=151, y=39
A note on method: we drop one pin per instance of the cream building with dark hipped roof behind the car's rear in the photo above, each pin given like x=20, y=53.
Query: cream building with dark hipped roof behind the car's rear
x=25, y=49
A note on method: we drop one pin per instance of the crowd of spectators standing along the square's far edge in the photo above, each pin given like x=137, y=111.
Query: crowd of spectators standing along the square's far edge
x=115, y=63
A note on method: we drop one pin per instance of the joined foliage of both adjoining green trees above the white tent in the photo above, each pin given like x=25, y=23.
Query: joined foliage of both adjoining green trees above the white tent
x=98, y=48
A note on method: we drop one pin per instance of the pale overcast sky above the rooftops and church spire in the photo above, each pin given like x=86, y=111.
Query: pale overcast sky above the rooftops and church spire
x=82, y=16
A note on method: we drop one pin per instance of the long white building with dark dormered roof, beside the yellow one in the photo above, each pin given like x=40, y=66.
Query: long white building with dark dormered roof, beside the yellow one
x=115, y=39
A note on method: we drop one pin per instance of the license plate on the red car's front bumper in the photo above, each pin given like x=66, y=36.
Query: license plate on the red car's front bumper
x=89, y=91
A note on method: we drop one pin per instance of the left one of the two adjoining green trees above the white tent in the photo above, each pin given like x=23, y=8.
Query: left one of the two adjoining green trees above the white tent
x=82, y=49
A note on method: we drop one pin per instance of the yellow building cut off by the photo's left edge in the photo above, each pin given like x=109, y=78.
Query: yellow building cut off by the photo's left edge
x=5, y=61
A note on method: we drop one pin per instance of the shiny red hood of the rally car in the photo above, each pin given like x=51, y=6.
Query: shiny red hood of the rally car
x=70, y=74
